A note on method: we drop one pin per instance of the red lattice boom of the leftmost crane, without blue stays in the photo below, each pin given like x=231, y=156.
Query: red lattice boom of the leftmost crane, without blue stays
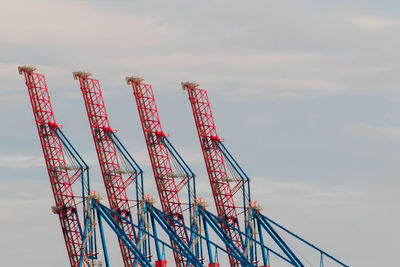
x=61, y=182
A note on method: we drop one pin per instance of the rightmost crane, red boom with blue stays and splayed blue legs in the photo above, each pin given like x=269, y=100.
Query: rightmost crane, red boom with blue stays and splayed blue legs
x=257, y=226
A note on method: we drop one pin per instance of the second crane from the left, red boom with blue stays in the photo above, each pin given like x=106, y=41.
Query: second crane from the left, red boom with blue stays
x=112, y=155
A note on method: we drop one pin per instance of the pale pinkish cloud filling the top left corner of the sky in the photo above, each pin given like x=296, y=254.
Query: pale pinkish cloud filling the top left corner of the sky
x=77, y=23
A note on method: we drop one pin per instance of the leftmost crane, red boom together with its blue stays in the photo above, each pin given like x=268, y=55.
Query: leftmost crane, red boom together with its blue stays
x=65, y=167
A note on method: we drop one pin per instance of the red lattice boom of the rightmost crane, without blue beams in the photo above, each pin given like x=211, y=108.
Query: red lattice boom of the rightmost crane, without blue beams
x=213, y=157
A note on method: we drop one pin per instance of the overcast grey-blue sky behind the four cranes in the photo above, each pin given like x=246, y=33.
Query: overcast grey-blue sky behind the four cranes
x=305, y=94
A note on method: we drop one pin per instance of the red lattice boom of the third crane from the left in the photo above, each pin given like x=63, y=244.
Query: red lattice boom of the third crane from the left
x=168, y=187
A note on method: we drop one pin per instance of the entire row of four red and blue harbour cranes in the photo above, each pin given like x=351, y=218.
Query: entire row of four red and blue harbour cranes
x=65, y=166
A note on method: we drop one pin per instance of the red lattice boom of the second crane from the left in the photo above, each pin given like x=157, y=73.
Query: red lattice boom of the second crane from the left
x=108, y=158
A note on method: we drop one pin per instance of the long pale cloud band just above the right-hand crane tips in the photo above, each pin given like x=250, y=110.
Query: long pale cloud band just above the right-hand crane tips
x=277, y=75
